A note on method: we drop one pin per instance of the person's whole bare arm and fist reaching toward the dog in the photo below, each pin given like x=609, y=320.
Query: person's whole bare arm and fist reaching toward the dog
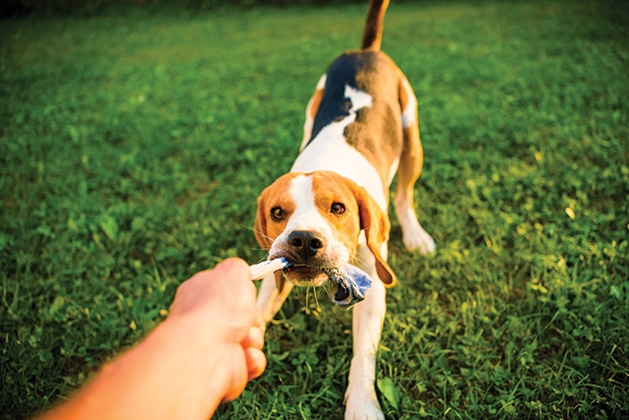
x=203, y=353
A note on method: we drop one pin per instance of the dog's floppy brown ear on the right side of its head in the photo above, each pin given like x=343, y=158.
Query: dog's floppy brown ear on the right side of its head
x=376, y=225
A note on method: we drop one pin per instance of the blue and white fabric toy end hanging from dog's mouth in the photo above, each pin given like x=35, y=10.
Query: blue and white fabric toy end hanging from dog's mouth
x=349, y=285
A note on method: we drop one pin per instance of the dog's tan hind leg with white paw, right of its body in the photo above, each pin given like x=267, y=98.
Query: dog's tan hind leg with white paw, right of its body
x=411, y=162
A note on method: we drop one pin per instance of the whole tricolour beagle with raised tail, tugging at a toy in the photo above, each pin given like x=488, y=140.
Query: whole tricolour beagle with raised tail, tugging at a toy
x=361, y=130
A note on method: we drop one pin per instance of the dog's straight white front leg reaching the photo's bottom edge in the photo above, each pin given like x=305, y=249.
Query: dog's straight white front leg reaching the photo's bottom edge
x=360, y=398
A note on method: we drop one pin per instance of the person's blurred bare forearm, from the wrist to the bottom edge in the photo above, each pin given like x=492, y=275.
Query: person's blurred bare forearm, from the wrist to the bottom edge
x=164, y=377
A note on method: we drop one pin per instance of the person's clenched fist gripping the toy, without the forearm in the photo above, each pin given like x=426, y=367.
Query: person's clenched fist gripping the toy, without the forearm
x=219, y=306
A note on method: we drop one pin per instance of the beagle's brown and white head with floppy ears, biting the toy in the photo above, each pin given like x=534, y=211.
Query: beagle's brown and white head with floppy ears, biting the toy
x=314, y=220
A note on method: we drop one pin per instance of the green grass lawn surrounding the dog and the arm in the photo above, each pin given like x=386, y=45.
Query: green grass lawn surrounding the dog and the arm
x=133, y=147
